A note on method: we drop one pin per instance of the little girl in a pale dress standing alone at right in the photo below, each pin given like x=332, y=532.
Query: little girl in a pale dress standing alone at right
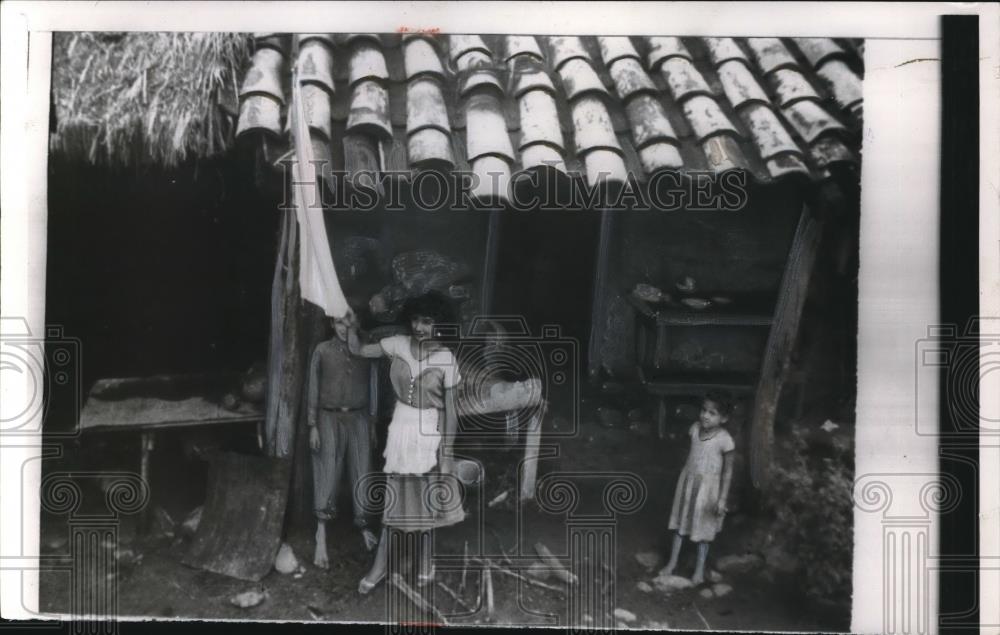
x=703, y=486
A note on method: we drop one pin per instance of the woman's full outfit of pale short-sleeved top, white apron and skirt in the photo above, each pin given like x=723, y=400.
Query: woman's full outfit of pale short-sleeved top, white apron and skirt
x=418, y=497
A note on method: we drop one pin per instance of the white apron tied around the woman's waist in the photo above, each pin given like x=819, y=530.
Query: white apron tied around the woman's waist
x=412, y=441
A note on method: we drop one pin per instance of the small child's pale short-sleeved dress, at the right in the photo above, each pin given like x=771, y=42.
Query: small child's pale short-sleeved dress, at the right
x=694, y=510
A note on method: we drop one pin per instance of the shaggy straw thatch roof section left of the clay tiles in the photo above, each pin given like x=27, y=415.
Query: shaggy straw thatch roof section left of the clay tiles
x=145, y=98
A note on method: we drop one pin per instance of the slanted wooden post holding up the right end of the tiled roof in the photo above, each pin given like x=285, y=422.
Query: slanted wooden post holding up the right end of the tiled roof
x=781, y=341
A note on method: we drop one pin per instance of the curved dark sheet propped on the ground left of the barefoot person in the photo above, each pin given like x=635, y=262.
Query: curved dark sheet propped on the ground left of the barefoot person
x=240, y=529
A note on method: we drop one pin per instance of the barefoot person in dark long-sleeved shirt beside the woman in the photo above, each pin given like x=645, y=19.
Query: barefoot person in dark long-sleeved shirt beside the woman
x=340, y=432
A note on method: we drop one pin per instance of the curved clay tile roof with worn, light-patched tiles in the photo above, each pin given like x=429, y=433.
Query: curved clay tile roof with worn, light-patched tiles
x=590, y=105
